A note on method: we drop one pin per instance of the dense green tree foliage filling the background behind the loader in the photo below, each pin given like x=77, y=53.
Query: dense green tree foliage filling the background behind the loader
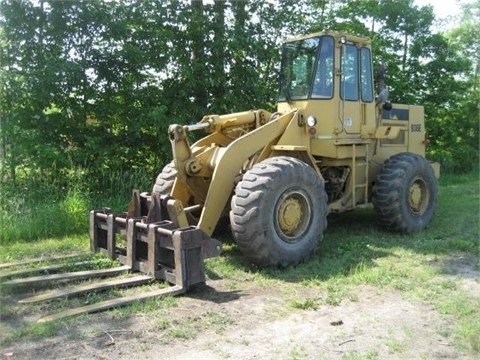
x=94, y=84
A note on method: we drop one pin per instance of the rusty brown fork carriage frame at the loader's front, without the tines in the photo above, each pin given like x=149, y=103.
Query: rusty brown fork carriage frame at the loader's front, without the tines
x=157, y=239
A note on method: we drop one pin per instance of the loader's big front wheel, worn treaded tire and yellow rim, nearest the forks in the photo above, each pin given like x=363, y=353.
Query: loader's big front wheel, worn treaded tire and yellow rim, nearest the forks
x=279, y=212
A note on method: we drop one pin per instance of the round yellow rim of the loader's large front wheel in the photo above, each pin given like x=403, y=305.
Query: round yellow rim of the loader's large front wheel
x=292, y=215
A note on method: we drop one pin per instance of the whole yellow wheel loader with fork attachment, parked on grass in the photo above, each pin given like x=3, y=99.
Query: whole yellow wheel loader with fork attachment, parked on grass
x=331, y=146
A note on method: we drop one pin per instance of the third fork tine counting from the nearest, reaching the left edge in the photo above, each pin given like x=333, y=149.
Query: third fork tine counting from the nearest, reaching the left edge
x=77, y=275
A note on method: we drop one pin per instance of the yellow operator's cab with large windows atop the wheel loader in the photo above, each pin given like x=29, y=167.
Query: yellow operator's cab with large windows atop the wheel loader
x=329, y=76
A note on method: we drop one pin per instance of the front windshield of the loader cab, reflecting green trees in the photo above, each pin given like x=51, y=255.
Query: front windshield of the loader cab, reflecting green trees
x=307, y=69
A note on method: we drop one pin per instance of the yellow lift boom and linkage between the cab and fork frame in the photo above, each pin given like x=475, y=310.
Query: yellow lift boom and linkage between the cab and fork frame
x=215, y=166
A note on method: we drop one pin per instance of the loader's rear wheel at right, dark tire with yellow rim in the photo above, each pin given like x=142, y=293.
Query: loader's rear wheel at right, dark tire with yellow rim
x=405, y=193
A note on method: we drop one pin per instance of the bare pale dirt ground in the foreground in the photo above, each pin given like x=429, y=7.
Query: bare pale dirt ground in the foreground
x=255, y=323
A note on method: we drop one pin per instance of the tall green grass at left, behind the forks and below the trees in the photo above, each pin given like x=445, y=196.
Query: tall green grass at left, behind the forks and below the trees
x=41, y=206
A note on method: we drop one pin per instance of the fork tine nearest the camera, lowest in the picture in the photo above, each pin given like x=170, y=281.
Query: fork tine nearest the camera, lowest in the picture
x=109, y=304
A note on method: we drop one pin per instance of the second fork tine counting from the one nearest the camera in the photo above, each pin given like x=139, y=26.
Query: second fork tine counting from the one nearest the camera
x=97, y=286
